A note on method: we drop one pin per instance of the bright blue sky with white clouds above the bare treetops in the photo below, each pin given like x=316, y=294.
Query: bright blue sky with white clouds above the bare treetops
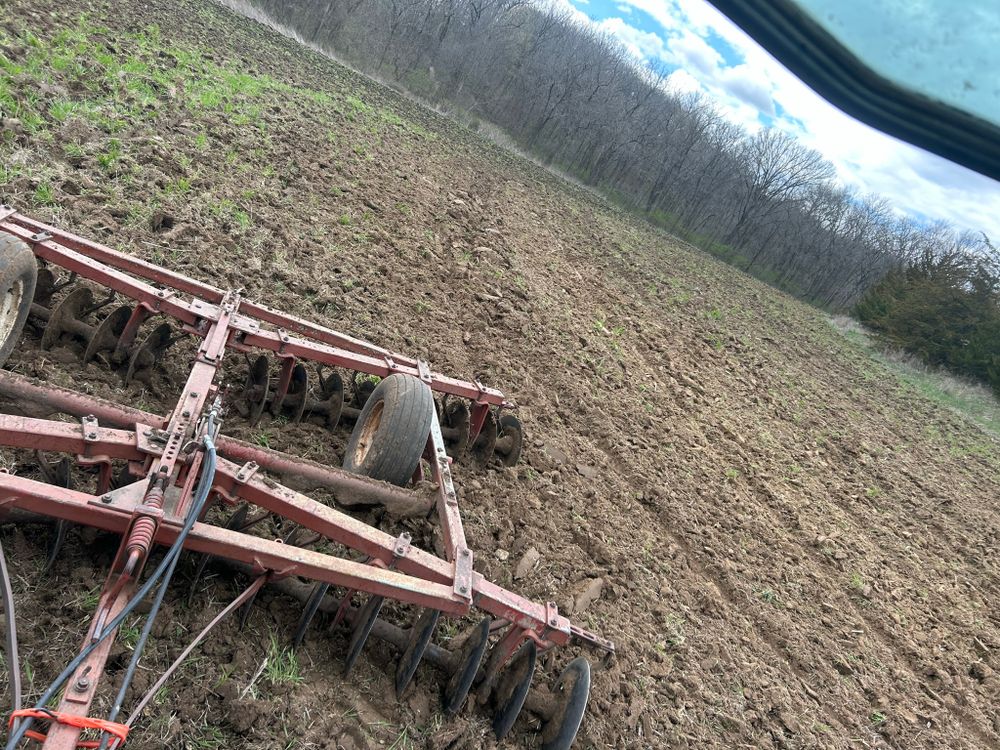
x=703, y=51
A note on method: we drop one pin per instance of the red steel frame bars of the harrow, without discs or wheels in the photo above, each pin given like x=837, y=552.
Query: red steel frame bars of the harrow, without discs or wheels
x=152, y=509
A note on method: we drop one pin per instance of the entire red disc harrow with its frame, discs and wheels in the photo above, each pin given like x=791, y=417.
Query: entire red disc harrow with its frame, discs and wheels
x=153, y=478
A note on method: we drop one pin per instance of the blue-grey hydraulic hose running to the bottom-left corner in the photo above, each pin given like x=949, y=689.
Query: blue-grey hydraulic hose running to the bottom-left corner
x=169, y=561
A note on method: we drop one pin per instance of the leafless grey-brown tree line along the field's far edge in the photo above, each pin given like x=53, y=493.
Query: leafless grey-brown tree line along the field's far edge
x=574, y=98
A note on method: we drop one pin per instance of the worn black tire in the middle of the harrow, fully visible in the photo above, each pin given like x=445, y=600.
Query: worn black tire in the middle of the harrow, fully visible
x=391, y=431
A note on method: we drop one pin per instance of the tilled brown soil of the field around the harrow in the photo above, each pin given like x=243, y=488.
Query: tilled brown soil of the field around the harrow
x=796, y=549
